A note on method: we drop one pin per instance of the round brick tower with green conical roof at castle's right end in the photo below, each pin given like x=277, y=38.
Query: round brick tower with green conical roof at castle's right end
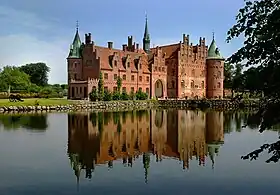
x=215, y=72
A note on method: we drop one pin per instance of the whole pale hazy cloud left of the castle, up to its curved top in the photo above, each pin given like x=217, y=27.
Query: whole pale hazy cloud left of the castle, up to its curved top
x=22, y=42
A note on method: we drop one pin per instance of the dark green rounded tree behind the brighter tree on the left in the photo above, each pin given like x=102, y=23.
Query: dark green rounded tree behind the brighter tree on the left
x=38, y=73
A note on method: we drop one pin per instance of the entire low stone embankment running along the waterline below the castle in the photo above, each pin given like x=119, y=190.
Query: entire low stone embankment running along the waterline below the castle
x=133, y=105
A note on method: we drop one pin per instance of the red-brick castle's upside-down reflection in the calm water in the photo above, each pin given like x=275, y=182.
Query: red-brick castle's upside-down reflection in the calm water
x=100, y=138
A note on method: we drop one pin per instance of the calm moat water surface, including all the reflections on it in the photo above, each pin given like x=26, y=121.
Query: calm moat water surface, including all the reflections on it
x=140, y=152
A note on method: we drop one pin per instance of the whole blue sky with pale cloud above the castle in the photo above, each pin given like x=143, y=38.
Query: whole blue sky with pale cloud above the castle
x=42, y=31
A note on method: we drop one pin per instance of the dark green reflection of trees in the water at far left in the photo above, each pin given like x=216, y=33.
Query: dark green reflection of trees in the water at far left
x=30, y=122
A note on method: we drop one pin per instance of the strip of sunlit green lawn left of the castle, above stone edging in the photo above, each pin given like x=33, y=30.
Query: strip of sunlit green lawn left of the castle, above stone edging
x=32, y=101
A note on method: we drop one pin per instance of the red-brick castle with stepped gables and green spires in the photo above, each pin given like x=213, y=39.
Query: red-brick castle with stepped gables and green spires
x=171, y=71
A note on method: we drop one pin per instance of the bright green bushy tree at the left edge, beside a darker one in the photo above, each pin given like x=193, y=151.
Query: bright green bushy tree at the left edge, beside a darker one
x=13, y=77
